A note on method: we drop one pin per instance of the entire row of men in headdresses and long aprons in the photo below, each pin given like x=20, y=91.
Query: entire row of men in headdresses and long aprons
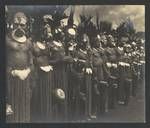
x=63, y=76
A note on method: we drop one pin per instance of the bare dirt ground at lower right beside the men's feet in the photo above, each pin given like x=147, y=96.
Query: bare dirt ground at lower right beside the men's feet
x=134, y=112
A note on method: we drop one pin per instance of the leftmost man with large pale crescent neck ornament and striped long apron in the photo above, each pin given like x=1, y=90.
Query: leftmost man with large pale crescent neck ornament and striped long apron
x=19, y=66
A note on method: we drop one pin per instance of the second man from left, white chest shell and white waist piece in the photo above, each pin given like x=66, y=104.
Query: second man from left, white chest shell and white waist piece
x=42, y=93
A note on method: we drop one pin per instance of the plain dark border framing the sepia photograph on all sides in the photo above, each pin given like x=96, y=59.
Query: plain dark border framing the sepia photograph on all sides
x=75, y=2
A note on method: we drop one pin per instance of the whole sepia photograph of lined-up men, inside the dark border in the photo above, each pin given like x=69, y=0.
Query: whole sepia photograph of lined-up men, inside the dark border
x=75, y=63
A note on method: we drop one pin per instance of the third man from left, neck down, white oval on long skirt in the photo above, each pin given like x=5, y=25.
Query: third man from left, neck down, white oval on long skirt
x=59, y=61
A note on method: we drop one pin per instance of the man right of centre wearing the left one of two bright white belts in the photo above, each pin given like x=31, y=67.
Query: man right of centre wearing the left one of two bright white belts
x=113, y=69
